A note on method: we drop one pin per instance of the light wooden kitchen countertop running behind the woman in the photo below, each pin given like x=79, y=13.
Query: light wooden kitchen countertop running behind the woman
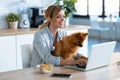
x=8, y=32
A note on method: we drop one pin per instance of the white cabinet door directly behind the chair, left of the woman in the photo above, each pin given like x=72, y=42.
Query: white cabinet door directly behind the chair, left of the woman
x=22, y=39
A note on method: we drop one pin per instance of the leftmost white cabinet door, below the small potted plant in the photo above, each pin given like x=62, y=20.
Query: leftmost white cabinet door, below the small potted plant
x=7, y=53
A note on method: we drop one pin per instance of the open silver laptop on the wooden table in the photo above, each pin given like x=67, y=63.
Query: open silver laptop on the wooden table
x=99, y=56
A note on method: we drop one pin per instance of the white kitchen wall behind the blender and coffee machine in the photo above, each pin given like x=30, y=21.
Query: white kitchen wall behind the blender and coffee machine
x=14, y=6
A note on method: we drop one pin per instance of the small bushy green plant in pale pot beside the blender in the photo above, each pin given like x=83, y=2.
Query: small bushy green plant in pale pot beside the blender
x=13, y=20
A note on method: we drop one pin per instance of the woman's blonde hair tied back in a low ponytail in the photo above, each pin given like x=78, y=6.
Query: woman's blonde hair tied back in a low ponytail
x=51, y=12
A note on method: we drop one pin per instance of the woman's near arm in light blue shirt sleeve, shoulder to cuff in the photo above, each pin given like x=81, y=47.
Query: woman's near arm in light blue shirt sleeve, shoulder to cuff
x=42, y=47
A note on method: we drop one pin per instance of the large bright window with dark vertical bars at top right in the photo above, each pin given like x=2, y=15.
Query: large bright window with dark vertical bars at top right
x=97, y=7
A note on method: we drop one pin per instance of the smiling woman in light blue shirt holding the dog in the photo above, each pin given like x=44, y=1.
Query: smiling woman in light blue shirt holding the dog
x=47, y=36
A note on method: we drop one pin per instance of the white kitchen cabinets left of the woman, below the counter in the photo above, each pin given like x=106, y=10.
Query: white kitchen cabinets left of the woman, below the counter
x=10, y=52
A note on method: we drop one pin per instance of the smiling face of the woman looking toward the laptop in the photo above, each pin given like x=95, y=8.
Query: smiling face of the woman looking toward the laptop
x=59, y=20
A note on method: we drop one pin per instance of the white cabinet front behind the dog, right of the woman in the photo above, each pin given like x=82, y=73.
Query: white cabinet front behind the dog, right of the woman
x=83, y=50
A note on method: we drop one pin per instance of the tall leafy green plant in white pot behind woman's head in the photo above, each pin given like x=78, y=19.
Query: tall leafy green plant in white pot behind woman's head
x=69, y=8
